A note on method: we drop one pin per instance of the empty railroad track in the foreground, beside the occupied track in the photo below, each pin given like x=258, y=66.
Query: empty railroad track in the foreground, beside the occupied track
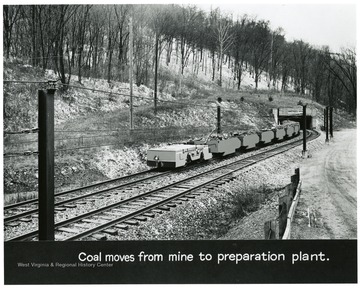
x=131, y=211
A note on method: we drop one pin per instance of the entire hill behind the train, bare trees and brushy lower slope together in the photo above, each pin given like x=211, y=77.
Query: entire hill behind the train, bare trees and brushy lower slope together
x=86, y=47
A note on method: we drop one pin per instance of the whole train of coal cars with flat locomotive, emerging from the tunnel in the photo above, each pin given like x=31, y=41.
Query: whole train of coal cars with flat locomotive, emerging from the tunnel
x=180, y=155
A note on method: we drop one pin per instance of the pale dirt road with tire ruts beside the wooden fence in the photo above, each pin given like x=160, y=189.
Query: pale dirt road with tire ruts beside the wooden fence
x=327, y=207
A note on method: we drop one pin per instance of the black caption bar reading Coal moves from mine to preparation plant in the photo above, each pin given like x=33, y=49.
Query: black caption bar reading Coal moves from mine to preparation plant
x=178, y=262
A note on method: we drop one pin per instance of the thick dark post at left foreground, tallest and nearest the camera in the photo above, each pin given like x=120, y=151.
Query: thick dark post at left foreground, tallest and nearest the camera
x=46, y=164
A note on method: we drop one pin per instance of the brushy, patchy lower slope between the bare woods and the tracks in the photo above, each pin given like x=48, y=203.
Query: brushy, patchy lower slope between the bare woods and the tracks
x=87, y=122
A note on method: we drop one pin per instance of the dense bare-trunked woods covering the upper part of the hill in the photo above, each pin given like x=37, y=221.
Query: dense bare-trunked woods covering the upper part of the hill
x=93, y=41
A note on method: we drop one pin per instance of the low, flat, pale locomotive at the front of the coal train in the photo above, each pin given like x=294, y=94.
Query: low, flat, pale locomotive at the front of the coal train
x=177, y=155
